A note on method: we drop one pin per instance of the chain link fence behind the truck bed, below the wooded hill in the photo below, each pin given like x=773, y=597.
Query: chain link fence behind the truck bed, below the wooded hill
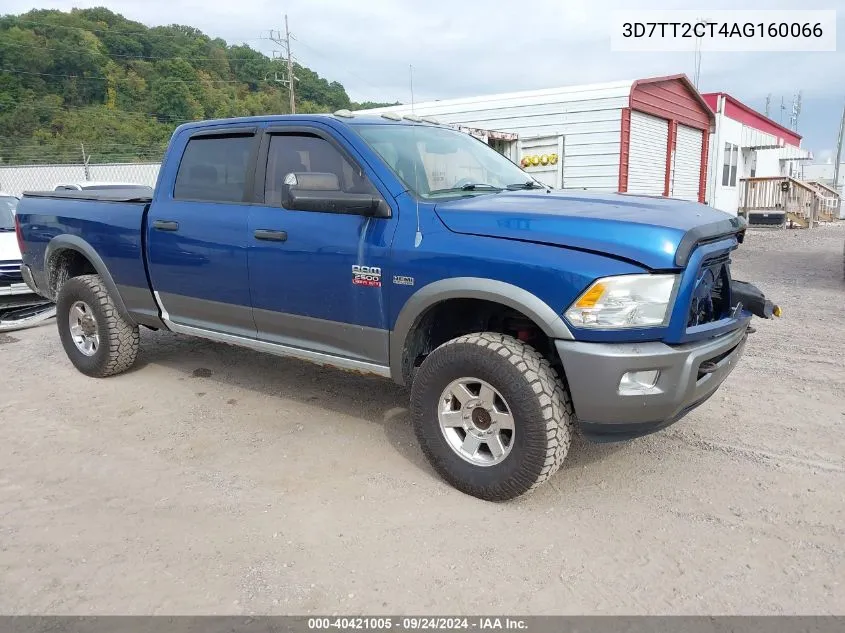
x=45, y=177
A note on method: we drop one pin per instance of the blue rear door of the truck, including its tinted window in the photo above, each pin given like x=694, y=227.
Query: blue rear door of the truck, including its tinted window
x=197, y=232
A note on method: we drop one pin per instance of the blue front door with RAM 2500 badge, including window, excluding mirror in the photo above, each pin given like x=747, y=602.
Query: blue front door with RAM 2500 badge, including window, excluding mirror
x=318, y=279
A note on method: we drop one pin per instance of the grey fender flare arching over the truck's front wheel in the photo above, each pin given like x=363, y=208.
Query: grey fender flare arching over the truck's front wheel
x=494, y=290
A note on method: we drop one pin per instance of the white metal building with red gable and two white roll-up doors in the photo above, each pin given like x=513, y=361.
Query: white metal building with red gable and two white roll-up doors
x=648, y=136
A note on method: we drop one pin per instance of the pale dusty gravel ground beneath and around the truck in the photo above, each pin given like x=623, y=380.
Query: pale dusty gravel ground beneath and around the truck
x=218, y=480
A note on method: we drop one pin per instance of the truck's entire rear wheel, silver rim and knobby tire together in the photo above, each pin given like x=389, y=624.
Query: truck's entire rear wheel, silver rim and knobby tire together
x=97, y=339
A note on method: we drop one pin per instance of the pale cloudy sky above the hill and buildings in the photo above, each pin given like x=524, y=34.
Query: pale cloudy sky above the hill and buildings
x=476, y=47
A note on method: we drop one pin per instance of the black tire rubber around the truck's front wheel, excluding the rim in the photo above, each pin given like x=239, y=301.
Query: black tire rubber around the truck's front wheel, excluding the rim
x=538, y=400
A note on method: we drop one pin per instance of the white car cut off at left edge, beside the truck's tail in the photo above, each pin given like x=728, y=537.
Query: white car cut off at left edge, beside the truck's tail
x=19, y=305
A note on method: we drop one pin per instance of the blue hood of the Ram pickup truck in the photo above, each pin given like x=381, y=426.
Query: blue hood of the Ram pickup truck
x=658, y=233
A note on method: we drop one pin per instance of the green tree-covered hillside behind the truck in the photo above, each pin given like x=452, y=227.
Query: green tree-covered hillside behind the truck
x=120, y=88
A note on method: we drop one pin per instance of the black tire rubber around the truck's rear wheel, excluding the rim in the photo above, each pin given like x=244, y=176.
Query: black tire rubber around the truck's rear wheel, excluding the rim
x=119, y=339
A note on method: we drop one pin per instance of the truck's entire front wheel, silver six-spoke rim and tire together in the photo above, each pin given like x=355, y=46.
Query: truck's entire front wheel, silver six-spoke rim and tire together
x=491, y=415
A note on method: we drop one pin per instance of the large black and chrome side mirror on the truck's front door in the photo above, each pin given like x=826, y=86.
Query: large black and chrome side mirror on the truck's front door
x=312, y=191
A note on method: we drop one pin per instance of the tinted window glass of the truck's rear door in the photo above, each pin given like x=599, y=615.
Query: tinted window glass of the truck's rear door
x=214, y=169
